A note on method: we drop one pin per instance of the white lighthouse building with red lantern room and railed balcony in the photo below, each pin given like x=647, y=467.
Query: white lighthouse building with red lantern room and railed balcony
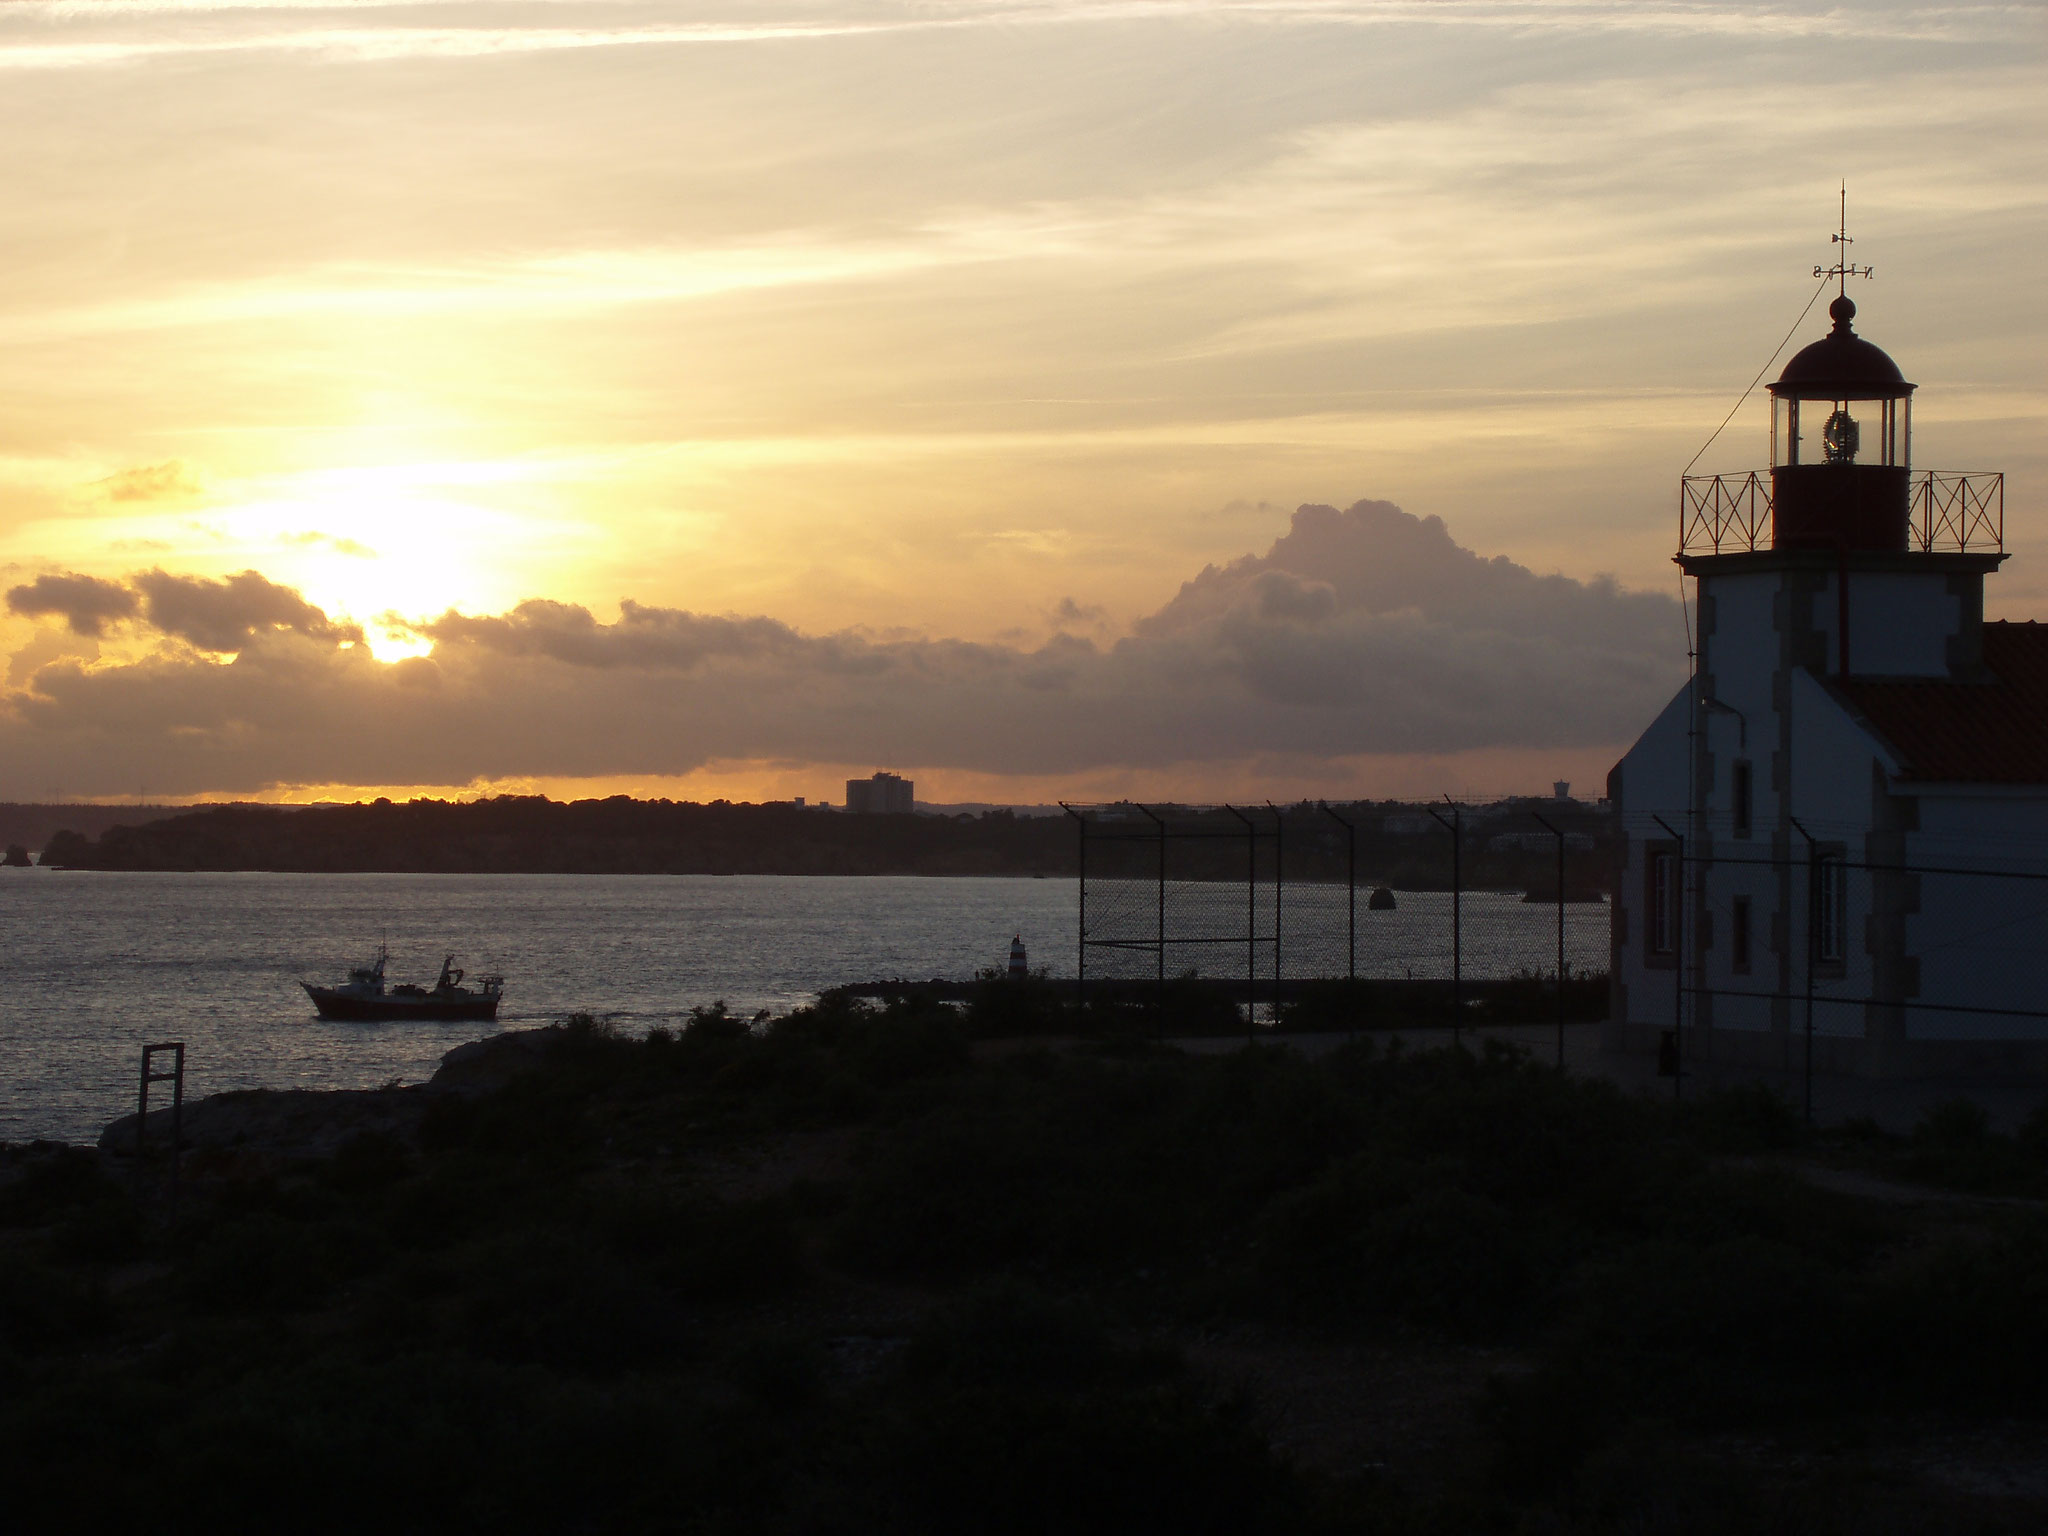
x=1836, y=837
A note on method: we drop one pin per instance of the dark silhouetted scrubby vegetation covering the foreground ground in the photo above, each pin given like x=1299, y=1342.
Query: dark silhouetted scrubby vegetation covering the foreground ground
x=865, y=1271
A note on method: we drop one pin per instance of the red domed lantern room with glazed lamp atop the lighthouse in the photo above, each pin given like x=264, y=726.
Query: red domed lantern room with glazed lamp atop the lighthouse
x=1842, y=445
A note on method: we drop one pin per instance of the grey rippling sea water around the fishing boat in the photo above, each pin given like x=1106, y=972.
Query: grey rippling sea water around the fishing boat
x=95, y=966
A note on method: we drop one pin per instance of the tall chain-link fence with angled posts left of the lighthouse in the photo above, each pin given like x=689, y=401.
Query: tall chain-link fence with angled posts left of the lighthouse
x=1269, y=900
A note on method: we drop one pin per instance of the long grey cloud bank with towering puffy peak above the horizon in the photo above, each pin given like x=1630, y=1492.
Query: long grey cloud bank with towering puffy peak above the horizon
x=1361, y=632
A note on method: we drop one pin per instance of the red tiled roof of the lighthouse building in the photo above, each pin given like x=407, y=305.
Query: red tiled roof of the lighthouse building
x=1992, y=732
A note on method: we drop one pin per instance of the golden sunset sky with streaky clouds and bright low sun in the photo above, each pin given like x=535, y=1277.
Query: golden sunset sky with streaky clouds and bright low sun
x=1043, y=400
